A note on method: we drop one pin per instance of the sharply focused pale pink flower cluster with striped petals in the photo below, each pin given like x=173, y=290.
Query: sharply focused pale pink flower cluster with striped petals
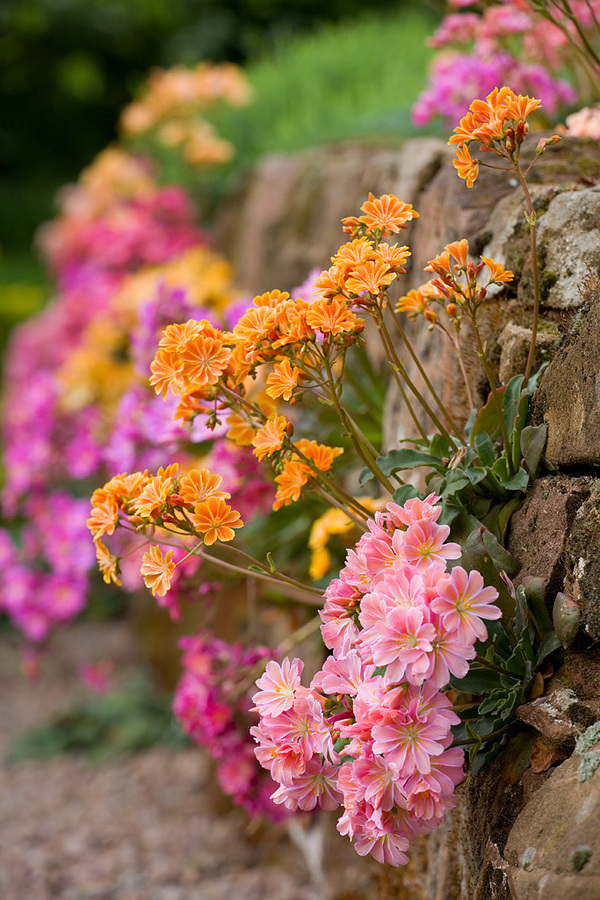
x=372, y=732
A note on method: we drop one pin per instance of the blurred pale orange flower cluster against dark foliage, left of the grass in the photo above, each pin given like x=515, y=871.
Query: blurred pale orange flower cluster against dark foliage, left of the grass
x=173, y=107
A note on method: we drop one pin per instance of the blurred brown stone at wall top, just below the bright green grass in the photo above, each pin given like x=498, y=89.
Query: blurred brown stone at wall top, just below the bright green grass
x=285, y=219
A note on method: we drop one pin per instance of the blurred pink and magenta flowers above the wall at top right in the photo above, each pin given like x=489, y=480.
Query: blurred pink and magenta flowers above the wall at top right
x=499, y=42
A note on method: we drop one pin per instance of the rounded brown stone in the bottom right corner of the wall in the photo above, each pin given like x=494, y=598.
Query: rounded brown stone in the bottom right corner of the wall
x=553, y=849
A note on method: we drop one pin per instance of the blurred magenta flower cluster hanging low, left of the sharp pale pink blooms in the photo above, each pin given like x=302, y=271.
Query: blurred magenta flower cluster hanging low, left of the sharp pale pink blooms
x=213, y=703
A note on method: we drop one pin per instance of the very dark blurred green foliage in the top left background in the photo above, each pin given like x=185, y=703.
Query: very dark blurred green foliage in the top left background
x=67, y=67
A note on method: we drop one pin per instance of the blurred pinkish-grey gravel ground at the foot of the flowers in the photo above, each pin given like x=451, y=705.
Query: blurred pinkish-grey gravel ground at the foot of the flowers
x=144, y=827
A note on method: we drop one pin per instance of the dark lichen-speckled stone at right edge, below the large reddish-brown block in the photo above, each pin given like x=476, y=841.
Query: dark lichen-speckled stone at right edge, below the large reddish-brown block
x=582, y=561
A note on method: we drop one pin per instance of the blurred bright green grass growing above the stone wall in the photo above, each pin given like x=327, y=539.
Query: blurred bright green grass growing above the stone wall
x=356, y=80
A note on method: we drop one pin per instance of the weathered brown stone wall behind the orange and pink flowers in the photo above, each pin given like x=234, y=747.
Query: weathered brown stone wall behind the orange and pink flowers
x=527, y=827
